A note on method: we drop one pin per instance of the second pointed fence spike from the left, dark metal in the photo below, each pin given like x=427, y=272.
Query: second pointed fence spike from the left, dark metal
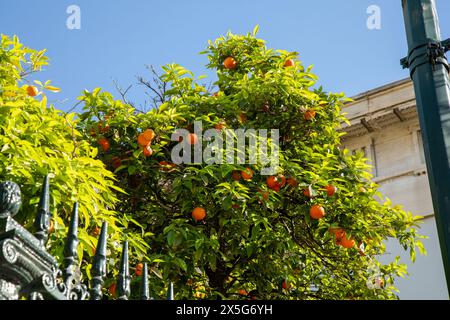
x=71, y=271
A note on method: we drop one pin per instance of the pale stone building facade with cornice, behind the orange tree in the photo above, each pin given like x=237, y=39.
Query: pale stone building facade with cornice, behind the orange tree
x=384, y=125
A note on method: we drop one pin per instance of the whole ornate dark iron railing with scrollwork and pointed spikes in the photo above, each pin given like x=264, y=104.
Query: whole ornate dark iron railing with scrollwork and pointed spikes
x=28, y=270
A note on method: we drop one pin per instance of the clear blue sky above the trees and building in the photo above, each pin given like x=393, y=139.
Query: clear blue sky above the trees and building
x=118, y=38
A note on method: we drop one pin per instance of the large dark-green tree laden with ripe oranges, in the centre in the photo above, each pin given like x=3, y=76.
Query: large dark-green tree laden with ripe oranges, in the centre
x=312, y=230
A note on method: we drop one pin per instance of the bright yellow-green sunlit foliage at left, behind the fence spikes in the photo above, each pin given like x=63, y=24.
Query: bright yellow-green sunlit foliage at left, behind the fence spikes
x=35, y=140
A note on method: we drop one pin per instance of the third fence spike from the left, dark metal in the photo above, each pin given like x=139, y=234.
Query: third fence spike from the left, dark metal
x=99, y=264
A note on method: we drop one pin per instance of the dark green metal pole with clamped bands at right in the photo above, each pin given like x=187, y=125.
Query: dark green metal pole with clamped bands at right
x=430, y=73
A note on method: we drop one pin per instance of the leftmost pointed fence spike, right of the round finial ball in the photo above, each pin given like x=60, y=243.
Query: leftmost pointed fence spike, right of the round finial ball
x=42, y=221
